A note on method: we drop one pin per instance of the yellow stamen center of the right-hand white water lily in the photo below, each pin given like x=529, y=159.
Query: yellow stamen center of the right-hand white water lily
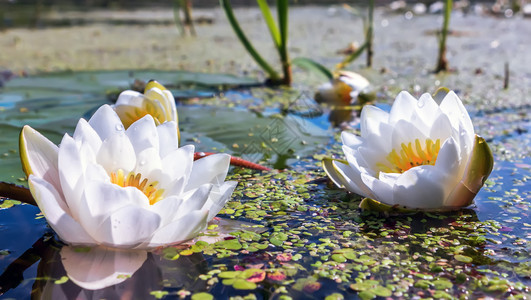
x=409, y=156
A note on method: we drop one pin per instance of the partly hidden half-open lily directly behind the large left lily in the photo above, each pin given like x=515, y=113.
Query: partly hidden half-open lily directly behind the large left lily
x=156, y=101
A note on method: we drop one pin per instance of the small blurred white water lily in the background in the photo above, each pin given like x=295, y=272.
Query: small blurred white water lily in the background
x=342, y=90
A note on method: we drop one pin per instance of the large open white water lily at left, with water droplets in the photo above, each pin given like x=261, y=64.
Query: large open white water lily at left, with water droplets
x=133, y=188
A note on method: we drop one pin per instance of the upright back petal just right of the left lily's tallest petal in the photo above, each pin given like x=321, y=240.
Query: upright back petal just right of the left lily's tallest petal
x=143, y=134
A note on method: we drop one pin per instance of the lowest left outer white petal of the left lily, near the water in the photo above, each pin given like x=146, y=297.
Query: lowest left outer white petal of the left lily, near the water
x=56, y=212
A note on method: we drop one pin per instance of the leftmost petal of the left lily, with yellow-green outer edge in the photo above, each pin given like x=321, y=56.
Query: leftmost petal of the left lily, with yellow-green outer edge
x=39, y=156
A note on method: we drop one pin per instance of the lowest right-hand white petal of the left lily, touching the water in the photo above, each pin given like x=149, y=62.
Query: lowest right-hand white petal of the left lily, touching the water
x=180, y=230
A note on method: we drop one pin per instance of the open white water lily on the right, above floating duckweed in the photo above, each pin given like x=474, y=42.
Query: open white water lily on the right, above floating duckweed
x=420, y=155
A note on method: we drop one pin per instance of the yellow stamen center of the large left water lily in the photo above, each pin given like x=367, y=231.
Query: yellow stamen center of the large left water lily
x=149, y=189
